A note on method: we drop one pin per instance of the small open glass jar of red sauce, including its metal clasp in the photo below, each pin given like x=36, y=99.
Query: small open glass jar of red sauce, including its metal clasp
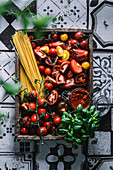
x=78, y=96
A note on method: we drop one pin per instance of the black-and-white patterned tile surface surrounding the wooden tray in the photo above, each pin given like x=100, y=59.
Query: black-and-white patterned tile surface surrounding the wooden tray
x=86, y=14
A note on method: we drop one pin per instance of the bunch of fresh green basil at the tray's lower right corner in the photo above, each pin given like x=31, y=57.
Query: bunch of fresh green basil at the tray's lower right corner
x=79, y=126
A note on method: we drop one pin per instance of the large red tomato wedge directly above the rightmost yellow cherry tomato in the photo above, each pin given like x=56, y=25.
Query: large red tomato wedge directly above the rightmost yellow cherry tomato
x=79, y=55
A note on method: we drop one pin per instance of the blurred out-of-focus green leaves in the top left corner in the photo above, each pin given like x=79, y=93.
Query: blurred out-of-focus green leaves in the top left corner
x=26, y=16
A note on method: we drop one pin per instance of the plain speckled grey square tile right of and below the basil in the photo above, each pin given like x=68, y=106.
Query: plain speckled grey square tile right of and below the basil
x=100, y=148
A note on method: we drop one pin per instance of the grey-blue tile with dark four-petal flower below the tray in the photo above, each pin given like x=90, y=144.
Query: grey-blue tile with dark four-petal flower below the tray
x=59, y=155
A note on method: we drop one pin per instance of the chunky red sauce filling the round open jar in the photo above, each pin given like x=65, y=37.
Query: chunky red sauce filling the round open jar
x=80, y=96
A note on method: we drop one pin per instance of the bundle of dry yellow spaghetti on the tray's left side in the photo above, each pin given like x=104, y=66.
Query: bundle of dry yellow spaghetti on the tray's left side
x=28, y=68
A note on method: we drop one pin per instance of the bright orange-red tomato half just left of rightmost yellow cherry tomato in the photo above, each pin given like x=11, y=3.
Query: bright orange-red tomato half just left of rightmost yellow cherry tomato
x=75, y=67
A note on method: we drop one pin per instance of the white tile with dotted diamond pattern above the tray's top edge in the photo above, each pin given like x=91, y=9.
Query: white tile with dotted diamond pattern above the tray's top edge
x=71, y=15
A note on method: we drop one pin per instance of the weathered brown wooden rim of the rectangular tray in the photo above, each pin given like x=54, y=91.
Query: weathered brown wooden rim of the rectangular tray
x=89, y=86
